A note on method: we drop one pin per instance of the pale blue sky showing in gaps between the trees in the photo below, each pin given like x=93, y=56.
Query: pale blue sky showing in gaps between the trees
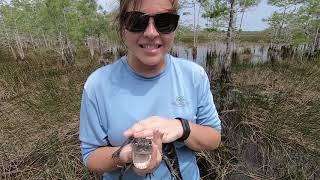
x=252, y=18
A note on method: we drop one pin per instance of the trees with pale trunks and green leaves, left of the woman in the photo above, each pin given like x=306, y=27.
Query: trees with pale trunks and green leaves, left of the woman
x=58, y=25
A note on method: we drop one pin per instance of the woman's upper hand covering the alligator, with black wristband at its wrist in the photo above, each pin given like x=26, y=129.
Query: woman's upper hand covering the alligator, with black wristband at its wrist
x=170, y=128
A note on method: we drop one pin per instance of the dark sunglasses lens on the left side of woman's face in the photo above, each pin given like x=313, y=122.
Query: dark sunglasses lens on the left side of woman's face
x=136, y=21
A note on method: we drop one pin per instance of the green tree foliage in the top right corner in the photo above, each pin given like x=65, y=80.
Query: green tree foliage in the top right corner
x=298, y=22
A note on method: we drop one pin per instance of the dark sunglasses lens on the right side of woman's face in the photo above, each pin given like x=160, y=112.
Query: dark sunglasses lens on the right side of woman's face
x=166, y=22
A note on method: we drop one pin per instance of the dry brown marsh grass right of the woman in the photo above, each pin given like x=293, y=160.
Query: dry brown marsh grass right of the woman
x=272, y=130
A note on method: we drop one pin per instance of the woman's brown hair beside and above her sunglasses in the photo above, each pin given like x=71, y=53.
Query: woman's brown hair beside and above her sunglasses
x=136, y=4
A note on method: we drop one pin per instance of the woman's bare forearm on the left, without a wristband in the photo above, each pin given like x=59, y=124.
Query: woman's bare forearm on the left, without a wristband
x=100, y=160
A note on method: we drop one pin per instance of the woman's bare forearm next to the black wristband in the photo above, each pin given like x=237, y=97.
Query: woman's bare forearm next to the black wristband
x=202, y=138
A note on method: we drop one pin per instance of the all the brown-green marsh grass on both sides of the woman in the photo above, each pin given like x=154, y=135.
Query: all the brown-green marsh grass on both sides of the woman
x=271, y=130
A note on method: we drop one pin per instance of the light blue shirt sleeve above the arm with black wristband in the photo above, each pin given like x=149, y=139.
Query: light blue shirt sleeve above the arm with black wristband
x=206, y=113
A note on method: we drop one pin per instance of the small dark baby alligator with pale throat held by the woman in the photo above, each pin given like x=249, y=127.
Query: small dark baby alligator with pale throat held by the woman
x=142, y=149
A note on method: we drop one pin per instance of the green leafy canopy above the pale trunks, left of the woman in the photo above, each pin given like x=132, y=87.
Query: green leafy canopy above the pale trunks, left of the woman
x=73, y=20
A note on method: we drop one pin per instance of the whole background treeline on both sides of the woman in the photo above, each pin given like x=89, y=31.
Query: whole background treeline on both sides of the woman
x=63, y=26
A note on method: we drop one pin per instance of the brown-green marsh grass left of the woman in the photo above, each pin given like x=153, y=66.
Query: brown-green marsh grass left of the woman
x=39, y=120
